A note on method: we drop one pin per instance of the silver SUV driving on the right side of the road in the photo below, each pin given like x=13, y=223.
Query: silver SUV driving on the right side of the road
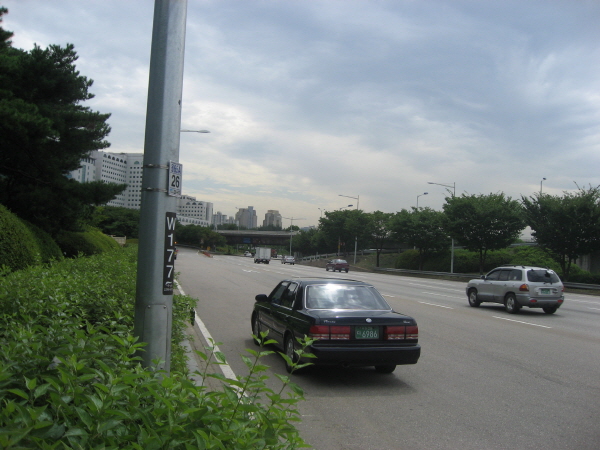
x=518, y=286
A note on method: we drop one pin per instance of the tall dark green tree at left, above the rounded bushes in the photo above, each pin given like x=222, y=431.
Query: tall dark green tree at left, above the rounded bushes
x=44, y=134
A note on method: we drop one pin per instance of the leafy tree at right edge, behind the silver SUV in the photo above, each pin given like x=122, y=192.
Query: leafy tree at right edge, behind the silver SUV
x=566, y=227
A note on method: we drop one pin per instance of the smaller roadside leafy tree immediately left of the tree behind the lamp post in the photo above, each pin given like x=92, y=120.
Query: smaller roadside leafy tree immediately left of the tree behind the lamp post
x=422, y=228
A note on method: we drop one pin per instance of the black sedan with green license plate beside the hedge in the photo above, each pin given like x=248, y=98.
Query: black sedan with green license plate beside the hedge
x=352, y=322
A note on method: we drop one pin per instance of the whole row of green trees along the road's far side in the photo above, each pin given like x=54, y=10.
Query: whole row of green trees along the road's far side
x=566, y=227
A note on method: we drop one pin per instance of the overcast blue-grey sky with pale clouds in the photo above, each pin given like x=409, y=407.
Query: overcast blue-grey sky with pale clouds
x=306, y=100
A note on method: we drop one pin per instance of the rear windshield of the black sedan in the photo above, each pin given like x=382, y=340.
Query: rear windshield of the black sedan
x=339, y=296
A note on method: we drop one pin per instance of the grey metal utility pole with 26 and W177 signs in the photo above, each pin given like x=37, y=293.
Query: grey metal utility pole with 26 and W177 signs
x=161, y=181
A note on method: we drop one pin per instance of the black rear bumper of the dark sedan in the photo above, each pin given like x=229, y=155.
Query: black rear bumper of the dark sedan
x=365, y=356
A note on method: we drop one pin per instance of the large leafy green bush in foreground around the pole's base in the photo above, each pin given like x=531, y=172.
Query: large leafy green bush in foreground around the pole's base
x=70, y=377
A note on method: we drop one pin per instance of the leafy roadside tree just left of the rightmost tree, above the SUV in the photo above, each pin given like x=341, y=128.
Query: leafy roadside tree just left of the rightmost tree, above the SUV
x=483, y=222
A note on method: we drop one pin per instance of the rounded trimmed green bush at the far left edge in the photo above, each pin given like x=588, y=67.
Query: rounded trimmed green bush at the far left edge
x=18, y=247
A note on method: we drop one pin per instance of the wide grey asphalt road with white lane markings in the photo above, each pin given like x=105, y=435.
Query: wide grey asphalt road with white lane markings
x=486, y=379
